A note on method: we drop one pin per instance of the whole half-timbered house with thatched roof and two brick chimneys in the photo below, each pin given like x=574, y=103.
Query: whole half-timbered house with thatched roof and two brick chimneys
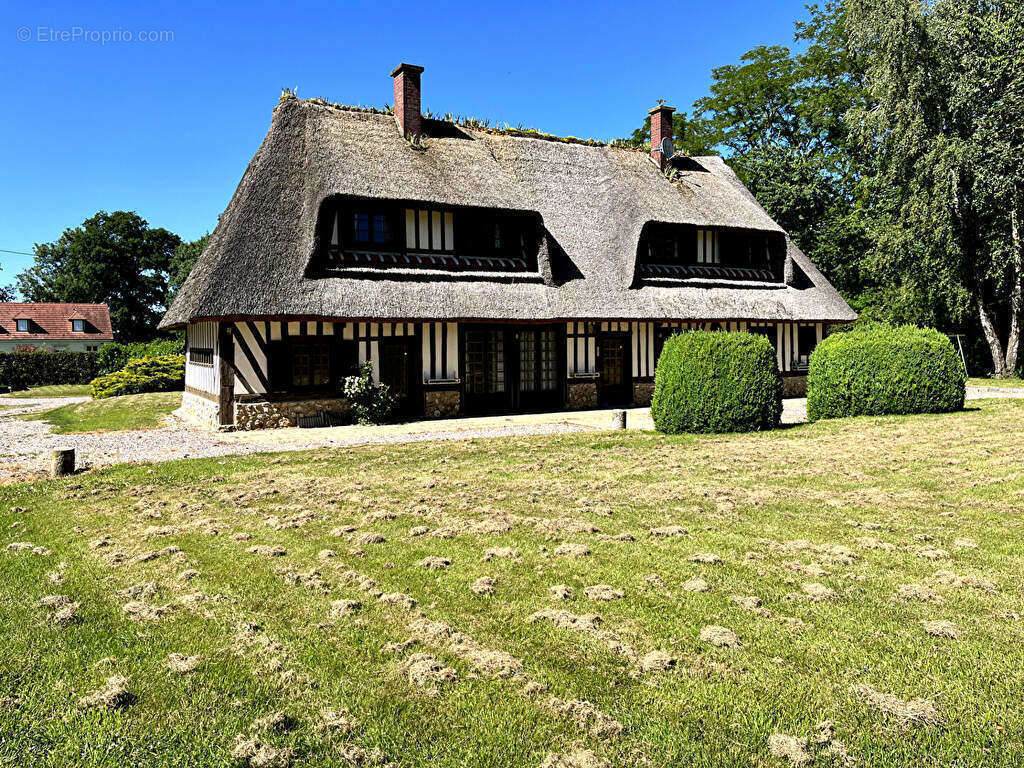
x=480, y=271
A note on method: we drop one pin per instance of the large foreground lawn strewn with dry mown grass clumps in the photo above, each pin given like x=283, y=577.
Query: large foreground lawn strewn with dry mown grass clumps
x=447, y=605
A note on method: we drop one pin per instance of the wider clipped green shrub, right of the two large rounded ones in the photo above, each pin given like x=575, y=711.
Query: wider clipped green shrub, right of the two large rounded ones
x=885, y=370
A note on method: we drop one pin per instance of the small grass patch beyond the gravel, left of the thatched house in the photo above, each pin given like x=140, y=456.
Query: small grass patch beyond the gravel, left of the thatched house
x=112, y=414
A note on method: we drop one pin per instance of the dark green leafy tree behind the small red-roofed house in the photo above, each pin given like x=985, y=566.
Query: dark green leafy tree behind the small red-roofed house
x=113, y=259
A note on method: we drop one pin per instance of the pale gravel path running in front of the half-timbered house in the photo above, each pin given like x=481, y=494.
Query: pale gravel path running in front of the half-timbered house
x=25, y=446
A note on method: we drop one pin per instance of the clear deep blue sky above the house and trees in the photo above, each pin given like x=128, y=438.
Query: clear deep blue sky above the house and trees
x=167, y=127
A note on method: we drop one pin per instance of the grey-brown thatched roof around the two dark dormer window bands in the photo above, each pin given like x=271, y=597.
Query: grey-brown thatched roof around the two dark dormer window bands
x=593, y=201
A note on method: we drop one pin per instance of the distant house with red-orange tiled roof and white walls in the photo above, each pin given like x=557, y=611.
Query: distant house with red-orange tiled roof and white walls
x=77, y=328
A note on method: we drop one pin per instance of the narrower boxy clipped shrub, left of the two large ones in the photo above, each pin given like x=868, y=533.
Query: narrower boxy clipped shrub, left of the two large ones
x=711, y=381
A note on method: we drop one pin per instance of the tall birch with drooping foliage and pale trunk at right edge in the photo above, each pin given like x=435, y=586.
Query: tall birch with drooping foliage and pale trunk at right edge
x=946, y=118
